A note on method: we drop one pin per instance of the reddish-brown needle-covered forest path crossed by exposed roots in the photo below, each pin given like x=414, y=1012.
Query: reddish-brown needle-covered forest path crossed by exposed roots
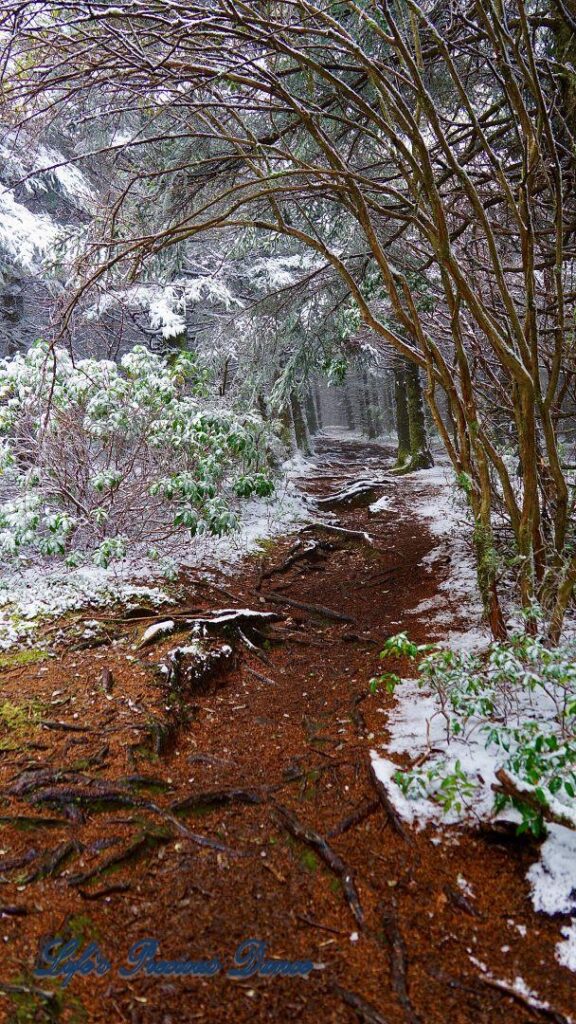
x=283, y=837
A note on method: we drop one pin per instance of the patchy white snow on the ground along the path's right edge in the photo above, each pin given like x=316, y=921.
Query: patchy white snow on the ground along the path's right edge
x=417, y=727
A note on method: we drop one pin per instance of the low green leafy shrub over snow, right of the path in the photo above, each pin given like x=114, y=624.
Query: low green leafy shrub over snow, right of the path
x=501, y=730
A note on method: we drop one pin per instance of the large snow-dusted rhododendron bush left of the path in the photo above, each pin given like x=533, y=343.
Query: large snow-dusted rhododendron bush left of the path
x=98, y=455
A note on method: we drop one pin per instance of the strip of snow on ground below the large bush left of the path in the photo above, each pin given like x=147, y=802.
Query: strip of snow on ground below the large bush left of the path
x=33, y=593
